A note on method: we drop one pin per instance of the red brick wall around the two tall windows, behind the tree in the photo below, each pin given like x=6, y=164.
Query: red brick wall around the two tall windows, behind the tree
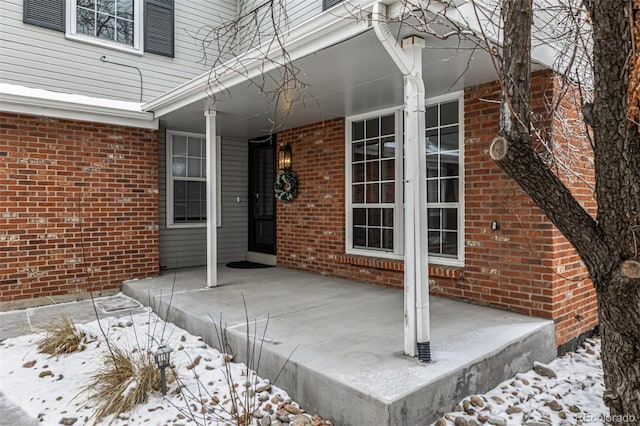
x=525, y=266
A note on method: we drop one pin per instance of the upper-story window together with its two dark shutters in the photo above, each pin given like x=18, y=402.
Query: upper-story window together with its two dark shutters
x=129, y=25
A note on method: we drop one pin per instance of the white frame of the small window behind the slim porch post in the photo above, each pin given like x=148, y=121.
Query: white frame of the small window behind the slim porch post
x=169, y=179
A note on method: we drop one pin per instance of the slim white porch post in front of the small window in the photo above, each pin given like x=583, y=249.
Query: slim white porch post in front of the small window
x=212, y=199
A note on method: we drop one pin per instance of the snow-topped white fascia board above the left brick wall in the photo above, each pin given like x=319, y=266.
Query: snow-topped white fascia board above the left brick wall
x=27, y=100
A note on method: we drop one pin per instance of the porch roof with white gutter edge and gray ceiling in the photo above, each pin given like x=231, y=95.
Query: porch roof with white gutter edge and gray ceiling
x=348, y=71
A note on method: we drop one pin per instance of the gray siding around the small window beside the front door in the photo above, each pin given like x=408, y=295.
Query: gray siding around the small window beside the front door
x=188, y=247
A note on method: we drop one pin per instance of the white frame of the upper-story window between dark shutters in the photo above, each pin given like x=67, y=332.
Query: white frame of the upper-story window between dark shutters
x=137, y=48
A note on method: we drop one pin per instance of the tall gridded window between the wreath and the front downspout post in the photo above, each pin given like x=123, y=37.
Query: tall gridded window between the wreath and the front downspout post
x=374, y=151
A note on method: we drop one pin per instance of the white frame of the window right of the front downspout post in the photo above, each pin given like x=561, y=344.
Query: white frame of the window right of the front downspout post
x=440, y=260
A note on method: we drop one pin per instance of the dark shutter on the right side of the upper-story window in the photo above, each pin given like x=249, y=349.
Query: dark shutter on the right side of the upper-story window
x=158, y=27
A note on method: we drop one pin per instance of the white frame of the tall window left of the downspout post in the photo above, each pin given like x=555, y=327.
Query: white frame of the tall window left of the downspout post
x=398, y=215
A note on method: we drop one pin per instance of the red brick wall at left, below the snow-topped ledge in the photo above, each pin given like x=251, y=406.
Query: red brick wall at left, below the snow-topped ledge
x=78, y=208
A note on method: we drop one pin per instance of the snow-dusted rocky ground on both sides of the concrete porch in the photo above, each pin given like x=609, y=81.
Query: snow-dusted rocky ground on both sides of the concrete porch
x=568, y=391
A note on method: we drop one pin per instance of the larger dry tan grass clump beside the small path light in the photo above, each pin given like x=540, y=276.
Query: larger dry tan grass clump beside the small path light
x=125, y=379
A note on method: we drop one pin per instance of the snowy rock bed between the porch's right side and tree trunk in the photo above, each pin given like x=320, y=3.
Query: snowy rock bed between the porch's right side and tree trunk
x=568, y=391
